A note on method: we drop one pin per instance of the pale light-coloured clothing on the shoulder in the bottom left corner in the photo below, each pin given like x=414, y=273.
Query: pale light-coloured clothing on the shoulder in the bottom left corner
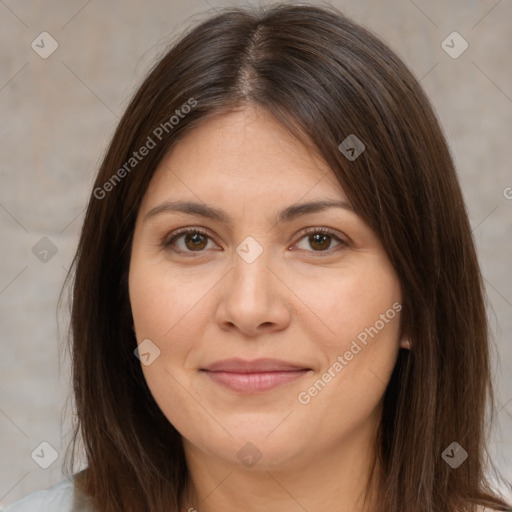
x=58, y=498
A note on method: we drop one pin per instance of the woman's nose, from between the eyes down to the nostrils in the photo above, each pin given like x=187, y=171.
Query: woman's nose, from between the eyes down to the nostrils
x=253, y=298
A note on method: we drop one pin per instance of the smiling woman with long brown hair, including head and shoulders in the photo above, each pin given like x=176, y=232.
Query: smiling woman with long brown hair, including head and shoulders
x=277, y=303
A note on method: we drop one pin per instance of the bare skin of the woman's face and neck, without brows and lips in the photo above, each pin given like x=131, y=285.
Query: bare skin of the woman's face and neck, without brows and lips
x=291, y=303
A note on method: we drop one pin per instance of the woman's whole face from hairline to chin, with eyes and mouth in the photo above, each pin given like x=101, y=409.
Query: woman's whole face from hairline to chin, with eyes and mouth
x=268, y=333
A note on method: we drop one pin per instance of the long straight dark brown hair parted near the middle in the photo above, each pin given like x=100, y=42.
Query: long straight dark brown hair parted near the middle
x=323, y=77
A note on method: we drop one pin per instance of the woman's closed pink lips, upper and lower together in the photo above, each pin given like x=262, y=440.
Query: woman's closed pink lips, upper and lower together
x=254, y=376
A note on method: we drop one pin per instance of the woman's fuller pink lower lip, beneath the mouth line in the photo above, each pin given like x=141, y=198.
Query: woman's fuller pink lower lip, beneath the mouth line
x=254, y=382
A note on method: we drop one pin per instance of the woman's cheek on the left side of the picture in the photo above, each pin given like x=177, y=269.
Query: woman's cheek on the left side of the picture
x=170, y=308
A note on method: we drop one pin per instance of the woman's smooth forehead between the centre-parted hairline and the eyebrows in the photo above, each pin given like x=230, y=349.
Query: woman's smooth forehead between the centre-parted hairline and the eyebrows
x=244, y=152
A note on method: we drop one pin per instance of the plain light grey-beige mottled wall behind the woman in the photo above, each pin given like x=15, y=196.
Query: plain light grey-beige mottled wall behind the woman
x=57, y=115
